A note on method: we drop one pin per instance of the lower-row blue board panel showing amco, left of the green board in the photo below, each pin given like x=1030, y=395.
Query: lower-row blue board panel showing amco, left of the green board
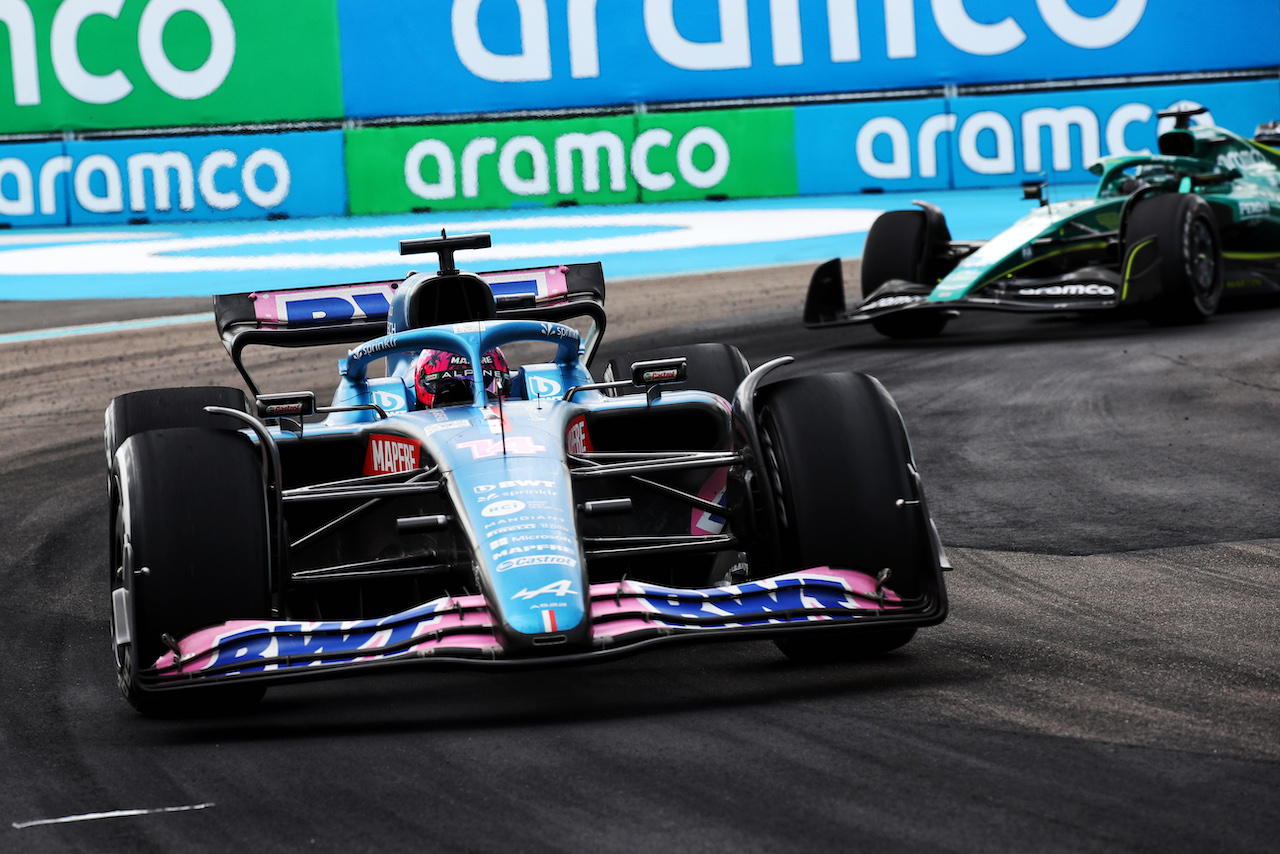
x=205, y=177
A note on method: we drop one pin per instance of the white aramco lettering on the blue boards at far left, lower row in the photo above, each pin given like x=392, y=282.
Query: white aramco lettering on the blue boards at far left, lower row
x=99, y=184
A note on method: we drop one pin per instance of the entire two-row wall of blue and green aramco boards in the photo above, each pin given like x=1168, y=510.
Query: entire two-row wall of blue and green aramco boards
x=330, y=107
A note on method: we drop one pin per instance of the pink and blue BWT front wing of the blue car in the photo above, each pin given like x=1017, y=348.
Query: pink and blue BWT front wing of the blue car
x=627, y=616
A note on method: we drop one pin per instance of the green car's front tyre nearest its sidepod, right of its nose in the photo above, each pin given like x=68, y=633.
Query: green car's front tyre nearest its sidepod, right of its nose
x=1191, y=257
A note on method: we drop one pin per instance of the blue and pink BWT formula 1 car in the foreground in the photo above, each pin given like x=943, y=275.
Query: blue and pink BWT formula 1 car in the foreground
x=499, y=518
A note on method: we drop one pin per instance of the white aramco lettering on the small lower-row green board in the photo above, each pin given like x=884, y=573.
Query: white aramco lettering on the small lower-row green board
x=591, y=148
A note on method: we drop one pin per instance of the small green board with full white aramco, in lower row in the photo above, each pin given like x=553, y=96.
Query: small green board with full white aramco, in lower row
x=723, y=154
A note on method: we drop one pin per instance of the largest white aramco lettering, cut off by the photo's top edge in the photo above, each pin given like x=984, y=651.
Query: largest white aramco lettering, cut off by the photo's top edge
x=734, y=48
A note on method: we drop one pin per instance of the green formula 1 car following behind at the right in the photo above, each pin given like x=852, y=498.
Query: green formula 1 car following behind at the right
x=1169, y=235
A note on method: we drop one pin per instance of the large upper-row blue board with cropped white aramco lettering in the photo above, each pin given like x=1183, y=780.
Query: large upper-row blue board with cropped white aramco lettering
x=442, y=57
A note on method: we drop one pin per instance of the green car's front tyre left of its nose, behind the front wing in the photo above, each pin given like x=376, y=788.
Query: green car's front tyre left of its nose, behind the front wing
x=897, y=250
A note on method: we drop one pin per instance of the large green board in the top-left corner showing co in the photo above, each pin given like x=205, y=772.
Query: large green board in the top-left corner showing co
x=163, y=63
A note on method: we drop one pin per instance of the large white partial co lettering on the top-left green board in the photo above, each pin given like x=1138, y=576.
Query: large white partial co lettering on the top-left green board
x=94, y=88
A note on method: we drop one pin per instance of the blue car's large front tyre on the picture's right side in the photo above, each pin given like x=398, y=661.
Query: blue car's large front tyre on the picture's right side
x=839, y=460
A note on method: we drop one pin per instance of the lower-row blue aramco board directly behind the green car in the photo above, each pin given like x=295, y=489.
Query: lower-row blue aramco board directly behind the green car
x=996, y=140
